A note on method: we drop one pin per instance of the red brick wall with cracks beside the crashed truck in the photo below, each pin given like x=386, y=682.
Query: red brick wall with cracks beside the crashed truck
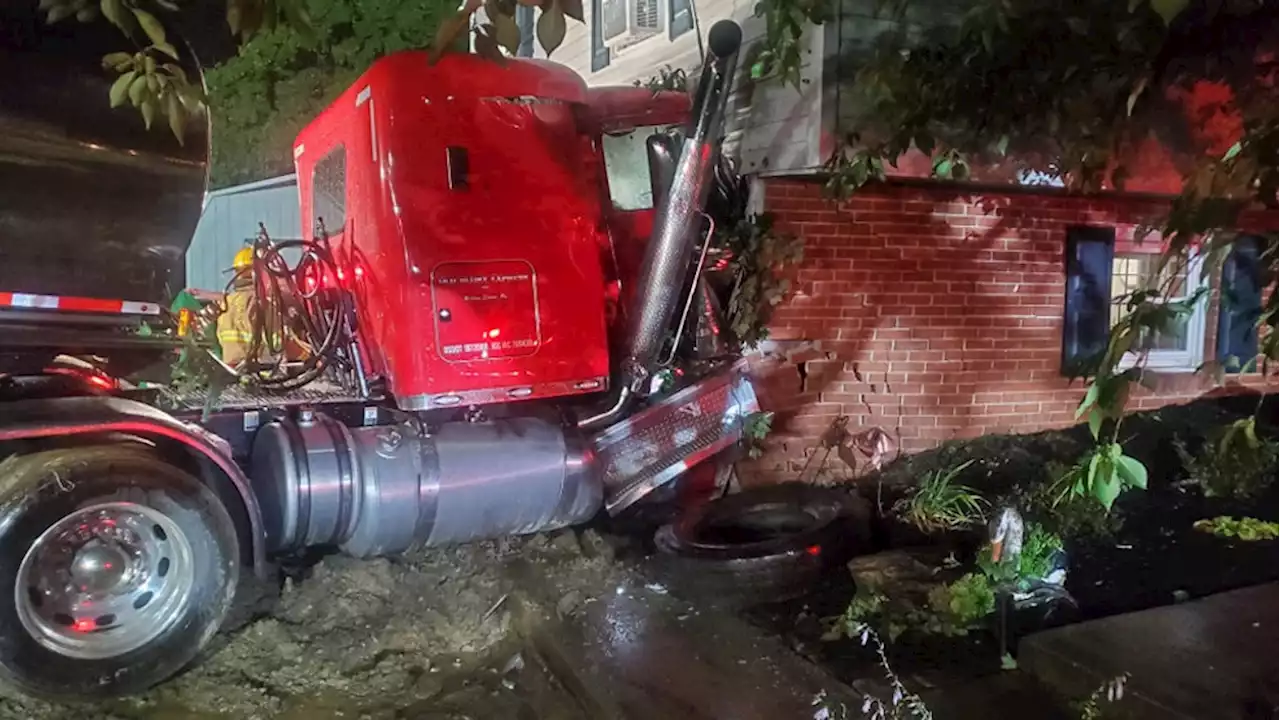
x=938, y=315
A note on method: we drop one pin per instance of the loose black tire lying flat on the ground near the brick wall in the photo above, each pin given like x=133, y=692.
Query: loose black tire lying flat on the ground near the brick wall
x=765, y=545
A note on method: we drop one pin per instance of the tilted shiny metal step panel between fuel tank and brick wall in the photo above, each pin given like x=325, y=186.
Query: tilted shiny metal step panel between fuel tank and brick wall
x=657, y=445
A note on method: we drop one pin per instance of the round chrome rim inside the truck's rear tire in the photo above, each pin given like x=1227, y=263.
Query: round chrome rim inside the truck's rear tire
x=106, y=581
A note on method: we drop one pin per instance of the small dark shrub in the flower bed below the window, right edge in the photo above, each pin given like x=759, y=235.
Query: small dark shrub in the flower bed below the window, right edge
x=1237, y=463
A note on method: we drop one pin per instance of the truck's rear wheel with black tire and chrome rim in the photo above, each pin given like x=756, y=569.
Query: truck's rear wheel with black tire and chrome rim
x=117, y=571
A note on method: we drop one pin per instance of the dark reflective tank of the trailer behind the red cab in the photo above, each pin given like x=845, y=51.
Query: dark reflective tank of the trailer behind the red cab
x=92, y=203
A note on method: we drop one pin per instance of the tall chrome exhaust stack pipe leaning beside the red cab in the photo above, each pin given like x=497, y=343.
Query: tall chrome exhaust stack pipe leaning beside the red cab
x=670, y=250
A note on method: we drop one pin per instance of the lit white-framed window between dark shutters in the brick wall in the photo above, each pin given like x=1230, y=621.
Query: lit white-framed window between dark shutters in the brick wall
x=1181, y=345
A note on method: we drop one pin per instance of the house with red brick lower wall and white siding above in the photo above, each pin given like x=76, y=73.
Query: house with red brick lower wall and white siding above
x=935, y=311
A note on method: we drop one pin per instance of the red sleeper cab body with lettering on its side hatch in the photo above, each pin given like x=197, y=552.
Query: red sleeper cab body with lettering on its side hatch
x=520, y=208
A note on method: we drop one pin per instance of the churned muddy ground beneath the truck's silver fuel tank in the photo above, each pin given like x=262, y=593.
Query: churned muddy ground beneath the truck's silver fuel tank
x=427, y=636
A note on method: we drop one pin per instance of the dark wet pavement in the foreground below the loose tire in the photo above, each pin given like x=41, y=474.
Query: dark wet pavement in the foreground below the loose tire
x=641, y=654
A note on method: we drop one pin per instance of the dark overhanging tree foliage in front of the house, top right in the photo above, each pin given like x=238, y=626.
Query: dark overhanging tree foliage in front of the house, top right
x=1082, y=88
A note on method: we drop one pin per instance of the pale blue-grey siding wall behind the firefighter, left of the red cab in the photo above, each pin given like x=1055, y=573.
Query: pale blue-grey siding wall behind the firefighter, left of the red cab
x=231, y=217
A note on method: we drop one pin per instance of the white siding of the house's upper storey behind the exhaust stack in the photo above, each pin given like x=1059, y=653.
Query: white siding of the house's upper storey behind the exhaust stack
x=774, y=129
